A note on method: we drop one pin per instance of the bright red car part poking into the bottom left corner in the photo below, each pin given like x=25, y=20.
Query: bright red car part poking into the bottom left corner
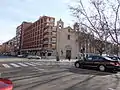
x=6, y=84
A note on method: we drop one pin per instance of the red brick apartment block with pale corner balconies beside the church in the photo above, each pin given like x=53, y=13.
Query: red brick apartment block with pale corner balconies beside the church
x=39, y=37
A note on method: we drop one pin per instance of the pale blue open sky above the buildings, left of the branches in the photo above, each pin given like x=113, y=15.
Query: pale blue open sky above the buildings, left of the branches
x=14, y=12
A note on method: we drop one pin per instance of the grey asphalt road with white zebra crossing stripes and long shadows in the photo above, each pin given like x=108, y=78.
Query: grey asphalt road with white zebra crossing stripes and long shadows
x=38, y=75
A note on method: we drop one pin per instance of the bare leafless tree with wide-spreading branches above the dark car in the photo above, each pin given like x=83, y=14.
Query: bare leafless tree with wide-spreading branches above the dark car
x=101, y=19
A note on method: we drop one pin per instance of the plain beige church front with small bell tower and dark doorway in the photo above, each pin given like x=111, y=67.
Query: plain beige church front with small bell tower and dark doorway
x=66, y=41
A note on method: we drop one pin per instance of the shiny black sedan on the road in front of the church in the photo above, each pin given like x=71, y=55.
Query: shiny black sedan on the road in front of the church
x=100, y=62
